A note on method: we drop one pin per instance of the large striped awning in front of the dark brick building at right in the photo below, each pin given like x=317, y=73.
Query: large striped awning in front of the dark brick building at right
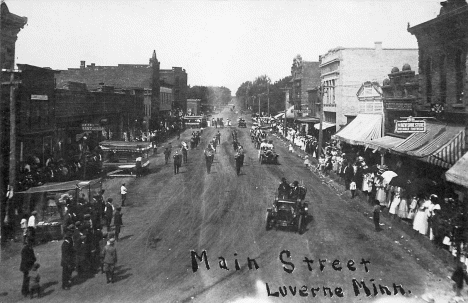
x=440, y=145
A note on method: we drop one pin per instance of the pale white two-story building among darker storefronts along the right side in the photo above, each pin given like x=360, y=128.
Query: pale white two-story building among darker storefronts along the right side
x=343, y=70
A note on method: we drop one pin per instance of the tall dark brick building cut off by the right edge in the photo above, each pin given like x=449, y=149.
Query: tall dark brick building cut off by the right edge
x=443, y=44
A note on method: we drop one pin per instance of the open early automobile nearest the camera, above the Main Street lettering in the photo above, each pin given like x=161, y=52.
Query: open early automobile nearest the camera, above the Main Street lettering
x=288, y=213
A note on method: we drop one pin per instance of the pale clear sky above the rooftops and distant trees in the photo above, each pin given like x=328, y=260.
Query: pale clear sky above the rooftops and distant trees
x=218, y=43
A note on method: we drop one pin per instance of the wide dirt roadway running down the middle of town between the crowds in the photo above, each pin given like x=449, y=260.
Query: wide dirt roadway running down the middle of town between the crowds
x=168, y=216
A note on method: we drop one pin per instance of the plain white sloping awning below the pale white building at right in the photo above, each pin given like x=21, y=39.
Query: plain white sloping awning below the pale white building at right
x=363, y=128
